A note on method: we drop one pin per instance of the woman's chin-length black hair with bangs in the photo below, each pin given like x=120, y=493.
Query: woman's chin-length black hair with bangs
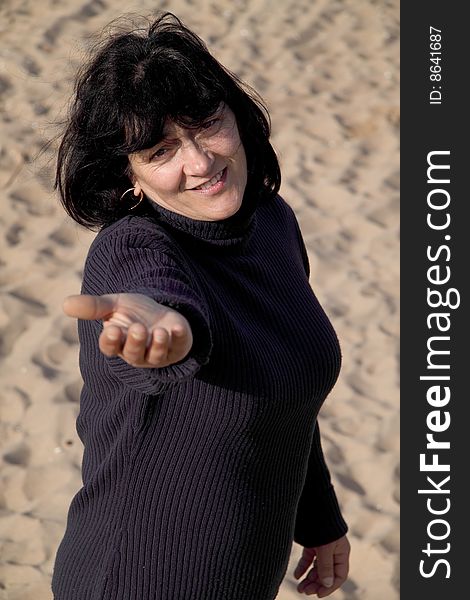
x=134, y=82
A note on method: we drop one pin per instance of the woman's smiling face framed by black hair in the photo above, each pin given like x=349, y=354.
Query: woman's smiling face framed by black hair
x=200, y=173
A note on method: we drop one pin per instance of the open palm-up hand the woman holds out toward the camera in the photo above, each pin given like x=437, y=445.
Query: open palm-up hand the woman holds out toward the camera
x=141, y=331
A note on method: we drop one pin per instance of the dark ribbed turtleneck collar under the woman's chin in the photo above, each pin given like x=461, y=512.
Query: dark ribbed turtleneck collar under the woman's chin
x=230, y=232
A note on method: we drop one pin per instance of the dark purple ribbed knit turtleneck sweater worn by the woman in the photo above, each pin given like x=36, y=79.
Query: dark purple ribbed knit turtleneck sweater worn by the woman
x=198, y=476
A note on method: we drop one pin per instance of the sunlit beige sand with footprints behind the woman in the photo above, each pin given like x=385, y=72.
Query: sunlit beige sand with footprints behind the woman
x=328, y=70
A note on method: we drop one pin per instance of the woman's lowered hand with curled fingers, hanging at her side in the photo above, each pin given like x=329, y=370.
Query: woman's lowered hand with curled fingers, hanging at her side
x=329, y=568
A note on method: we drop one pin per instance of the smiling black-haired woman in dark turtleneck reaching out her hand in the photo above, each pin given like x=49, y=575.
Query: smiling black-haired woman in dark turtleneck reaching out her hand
x=204, y=352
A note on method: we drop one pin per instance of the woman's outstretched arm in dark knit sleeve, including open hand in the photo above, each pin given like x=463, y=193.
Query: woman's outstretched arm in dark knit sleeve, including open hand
x=136, y=258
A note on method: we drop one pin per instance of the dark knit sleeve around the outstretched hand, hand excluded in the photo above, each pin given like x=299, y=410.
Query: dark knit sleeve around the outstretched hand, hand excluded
x=135, y=257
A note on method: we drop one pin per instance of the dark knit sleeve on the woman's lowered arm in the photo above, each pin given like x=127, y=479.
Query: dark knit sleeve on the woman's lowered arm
x=319, y=520
